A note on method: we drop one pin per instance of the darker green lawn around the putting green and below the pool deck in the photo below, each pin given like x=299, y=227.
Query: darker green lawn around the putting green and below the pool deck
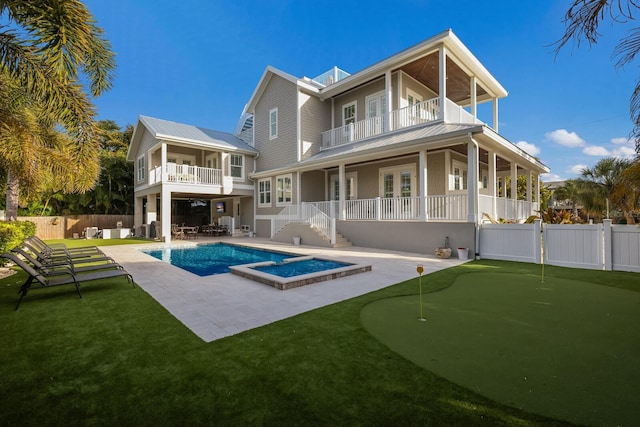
x=118, y=357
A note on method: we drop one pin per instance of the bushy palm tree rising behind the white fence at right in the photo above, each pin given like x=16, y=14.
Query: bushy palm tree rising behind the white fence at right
x=602, y=185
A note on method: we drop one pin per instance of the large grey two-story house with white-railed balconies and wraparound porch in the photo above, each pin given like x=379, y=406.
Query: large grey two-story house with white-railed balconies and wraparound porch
x=393, y=156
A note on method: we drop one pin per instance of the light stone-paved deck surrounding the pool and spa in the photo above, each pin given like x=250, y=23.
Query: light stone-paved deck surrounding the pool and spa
x=218, y=306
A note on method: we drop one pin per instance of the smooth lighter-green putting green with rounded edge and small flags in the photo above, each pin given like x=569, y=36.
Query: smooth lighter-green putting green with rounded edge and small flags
x=565, y=349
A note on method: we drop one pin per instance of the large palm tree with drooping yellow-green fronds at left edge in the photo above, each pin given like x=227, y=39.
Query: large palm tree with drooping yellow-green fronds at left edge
x=58, y=46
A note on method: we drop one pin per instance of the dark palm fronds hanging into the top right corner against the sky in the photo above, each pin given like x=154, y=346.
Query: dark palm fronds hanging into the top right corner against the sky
x=582, y=21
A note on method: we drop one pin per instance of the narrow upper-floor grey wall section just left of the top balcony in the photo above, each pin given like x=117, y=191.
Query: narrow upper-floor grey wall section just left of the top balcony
x=315, y=118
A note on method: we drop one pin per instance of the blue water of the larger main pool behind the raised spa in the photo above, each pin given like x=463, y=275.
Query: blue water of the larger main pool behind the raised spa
x=206, y=260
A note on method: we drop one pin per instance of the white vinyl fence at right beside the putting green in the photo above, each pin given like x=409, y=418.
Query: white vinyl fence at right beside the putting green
x=594, y=246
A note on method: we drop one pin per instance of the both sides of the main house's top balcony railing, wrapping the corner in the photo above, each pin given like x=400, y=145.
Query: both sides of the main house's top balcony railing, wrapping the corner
x=419, y=113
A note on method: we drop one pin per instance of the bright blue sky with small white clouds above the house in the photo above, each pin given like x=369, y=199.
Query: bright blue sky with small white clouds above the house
x=198, y=62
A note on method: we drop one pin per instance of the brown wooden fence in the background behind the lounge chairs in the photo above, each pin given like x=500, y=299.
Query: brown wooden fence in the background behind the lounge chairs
x=65, y=227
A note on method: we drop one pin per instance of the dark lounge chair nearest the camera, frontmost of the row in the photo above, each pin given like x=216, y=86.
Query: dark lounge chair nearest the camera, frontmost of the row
x=69, y=278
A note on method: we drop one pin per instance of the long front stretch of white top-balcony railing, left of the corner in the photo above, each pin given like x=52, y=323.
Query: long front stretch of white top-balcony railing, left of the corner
x=422, y=112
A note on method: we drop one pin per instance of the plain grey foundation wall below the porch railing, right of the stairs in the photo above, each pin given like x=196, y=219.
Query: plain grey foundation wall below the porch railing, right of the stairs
x=418, y=237
